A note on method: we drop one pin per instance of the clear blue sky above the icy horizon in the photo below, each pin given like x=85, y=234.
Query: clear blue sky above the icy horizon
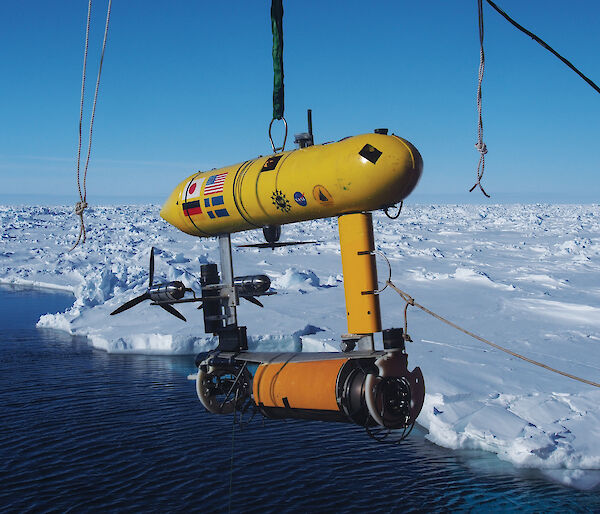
x=188, y=86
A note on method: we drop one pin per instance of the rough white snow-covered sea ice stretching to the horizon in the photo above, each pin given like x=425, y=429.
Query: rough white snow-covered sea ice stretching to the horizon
x=524, y=276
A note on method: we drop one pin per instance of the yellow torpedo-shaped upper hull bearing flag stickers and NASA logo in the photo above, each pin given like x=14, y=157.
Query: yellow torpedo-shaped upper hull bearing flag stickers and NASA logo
x=360, y=173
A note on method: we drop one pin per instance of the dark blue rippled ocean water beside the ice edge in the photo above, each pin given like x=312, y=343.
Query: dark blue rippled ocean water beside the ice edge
x=82, y=430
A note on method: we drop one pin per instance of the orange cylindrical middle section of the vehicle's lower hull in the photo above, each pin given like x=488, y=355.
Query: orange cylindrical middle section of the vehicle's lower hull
x=298, y=385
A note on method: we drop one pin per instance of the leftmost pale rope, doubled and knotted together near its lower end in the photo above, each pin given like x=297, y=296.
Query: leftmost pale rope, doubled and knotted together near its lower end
x=81, y=205
